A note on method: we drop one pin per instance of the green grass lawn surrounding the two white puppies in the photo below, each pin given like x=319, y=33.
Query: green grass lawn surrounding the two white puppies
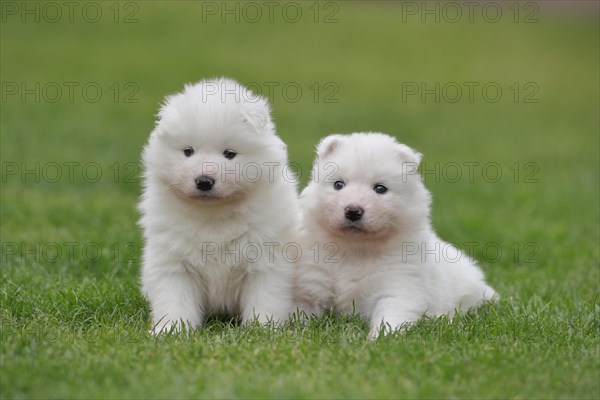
x=73, y=324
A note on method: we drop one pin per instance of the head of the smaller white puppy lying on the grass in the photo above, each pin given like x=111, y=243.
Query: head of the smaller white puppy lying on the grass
x=366, y=186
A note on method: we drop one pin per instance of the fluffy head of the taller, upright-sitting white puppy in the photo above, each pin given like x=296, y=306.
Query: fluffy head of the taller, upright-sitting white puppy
x=214, y=142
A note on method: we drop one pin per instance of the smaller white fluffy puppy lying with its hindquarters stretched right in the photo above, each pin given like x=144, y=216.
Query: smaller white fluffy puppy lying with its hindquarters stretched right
x=371, y=247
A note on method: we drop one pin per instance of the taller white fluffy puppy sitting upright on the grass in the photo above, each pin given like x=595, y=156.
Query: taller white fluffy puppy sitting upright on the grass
x=216, y=209
